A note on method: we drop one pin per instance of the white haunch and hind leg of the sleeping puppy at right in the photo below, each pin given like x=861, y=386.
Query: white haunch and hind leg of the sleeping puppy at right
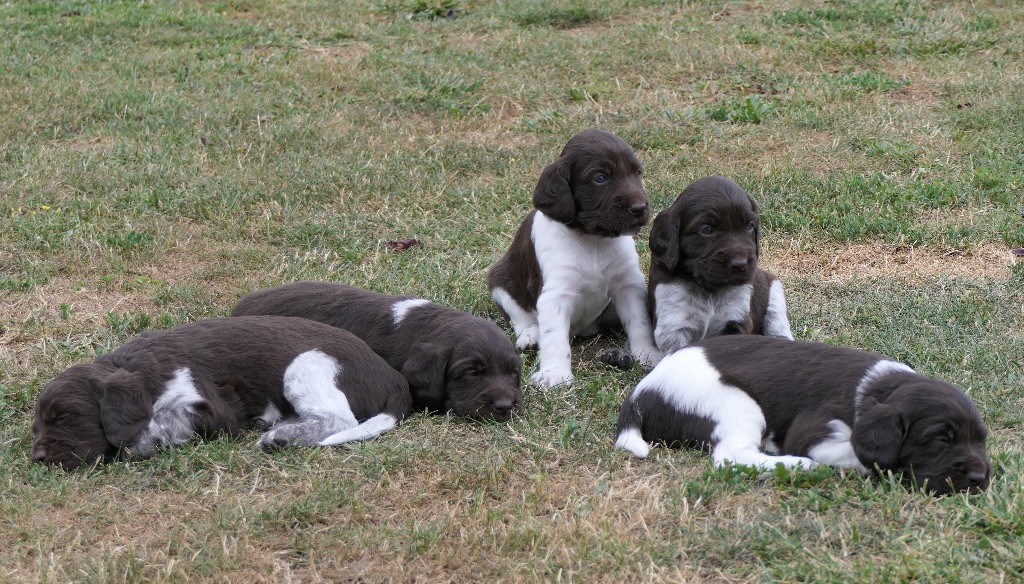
x=689, y=382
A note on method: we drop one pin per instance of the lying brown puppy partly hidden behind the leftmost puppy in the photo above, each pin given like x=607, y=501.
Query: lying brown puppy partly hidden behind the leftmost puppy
x=453, y=361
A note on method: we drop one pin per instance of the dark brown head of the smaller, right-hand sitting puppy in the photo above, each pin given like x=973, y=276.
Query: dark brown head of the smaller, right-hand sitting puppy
x=711, y=235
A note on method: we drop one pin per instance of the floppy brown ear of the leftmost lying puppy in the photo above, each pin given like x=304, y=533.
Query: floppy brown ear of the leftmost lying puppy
x=124, y=407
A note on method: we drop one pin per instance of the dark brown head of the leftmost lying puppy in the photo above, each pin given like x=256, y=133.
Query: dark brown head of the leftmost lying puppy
x=88, y=414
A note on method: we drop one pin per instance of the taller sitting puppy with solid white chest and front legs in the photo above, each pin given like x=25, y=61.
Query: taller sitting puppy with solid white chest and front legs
x=574, y=258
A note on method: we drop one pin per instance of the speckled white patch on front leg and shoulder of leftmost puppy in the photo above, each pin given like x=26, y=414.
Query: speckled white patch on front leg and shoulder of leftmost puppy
x=172, y=424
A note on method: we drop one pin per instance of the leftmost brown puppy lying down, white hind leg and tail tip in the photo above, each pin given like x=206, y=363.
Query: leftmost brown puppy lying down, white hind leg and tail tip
x=312, y=383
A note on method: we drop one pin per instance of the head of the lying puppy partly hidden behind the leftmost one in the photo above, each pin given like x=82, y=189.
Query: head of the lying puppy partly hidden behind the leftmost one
x=474, y=372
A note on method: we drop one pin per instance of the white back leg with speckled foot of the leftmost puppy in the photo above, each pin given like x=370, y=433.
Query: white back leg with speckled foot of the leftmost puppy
x=321, y=407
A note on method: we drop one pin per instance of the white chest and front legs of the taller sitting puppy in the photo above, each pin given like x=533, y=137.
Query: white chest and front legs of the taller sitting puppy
x=581, y=275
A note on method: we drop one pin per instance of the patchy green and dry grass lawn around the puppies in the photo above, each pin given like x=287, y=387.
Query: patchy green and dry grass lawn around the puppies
x=159, y=160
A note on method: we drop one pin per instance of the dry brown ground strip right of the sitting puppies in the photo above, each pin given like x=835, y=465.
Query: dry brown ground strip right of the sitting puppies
x=865, y=262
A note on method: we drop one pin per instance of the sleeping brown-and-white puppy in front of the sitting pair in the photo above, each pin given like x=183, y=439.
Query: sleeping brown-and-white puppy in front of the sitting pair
x=761, y=402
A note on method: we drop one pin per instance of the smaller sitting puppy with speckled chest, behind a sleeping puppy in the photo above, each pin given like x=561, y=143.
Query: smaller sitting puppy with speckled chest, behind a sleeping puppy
x=705, y=279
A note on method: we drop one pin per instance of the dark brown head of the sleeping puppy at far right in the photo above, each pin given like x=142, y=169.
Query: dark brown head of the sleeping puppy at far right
x=929, y=431
